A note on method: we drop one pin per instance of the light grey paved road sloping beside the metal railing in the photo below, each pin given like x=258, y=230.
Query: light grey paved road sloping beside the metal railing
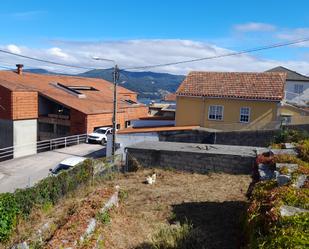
x=18, y=173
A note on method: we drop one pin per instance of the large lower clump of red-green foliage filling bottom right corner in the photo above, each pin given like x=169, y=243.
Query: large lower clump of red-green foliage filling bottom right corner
x=266, y=228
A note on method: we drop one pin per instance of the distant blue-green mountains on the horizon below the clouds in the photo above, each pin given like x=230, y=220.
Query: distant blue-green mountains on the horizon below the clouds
x=149, y=85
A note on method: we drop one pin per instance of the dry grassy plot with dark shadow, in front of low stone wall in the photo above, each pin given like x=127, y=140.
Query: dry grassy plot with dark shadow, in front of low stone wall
x=213, y=203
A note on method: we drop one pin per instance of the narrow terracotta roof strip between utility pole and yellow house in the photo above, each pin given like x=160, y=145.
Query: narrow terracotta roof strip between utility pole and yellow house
x=156, y=129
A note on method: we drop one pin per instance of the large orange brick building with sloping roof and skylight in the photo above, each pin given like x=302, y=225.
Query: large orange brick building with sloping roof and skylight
x=38, y=107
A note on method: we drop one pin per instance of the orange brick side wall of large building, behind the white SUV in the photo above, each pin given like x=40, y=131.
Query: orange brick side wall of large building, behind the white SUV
x=82, y=123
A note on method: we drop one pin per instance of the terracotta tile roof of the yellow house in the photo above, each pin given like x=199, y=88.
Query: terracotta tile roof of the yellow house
x=258, y=86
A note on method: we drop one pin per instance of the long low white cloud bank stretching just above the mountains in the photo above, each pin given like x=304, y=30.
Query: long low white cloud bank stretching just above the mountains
x=131, y=53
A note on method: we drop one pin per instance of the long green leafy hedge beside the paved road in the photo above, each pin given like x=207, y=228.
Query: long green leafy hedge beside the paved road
x=48, y=190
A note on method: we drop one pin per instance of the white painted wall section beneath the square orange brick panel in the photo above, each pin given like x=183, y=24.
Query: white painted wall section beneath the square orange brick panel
x=24, y=137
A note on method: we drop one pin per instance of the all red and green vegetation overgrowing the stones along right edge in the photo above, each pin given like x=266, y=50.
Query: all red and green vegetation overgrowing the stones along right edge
x=265, y=227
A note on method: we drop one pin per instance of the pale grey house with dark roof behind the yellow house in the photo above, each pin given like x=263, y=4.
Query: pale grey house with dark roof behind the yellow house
x=296, y=83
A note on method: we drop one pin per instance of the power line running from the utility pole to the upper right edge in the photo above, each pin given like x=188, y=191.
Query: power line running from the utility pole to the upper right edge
x=223, y=55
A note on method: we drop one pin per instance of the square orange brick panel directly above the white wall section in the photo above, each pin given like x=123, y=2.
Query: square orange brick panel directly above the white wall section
x=24, y=105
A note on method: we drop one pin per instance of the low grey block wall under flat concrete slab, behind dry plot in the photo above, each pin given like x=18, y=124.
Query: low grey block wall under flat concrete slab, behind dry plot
x=193, y=162
